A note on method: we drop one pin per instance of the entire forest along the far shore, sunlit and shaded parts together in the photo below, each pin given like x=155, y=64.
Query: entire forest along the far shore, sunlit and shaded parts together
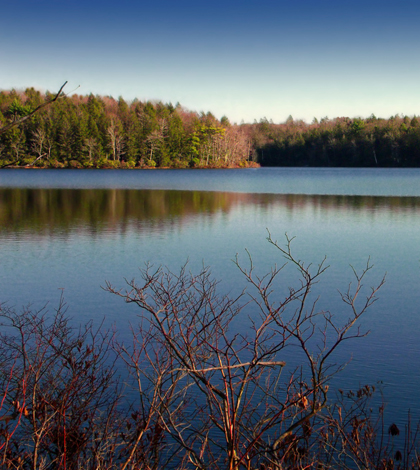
x=102, y=132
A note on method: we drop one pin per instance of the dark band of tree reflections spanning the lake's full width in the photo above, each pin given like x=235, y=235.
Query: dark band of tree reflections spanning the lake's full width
x=46, y=211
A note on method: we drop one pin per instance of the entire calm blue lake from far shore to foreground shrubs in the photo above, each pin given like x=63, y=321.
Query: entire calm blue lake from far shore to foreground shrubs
x=73, y=230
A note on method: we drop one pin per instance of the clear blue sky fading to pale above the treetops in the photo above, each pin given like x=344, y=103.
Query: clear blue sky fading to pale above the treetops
x=245, y=59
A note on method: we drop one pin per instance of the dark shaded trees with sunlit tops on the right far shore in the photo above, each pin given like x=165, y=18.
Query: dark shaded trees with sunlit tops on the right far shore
x=339, y=142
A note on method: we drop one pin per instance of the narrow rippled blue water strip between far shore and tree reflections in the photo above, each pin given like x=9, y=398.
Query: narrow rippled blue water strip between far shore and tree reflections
x=327, y=181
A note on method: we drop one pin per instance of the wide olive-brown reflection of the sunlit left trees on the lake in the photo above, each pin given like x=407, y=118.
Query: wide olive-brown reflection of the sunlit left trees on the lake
x=93, y=211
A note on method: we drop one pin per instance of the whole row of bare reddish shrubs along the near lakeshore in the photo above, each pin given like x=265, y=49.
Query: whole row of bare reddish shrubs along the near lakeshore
x=190, y=391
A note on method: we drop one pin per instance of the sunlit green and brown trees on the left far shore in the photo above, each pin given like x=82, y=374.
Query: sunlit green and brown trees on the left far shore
x=94, y=132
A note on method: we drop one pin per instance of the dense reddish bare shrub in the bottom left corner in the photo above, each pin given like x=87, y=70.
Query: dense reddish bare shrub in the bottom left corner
x=61, y=383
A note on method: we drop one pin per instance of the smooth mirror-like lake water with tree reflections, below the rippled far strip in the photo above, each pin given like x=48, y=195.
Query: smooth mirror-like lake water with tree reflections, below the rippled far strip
x=78, y=238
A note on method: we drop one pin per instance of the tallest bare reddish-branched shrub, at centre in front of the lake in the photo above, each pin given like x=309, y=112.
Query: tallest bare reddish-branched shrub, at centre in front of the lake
x=235, y=403
